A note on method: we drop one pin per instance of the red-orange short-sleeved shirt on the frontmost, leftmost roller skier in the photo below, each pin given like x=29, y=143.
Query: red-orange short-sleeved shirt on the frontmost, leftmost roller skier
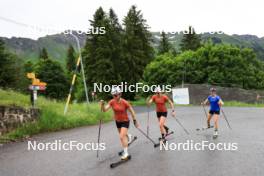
x=120, y=109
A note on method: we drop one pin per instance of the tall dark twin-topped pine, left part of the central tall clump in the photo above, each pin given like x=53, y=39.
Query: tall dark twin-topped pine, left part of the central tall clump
x=100, y=52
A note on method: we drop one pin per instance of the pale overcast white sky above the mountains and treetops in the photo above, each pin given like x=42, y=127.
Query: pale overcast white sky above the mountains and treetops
x=230, y=16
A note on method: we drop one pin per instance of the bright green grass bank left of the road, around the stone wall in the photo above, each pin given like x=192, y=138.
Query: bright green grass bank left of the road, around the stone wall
x=52, y=117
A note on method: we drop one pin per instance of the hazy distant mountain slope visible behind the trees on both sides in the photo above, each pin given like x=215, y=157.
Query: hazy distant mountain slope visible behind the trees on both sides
x=57, y=45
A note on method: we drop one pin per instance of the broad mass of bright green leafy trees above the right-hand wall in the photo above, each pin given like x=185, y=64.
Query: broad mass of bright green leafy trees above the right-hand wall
x=218, y=64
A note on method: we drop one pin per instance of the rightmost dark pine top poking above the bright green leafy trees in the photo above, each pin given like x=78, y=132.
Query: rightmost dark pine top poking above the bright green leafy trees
x=190, y=41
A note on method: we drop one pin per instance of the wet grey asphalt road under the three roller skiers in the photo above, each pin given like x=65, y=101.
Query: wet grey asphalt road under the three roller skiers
x=248, y=159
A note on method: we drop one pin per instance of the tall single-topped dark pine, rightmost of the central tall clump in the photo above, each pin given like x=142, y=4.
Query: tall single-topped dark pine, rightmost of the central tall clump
x=137, y=48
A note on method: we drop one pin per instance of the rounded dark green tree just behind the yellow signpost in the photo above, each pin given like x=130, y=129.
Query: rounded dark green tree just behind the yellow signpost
x=52, y=73
